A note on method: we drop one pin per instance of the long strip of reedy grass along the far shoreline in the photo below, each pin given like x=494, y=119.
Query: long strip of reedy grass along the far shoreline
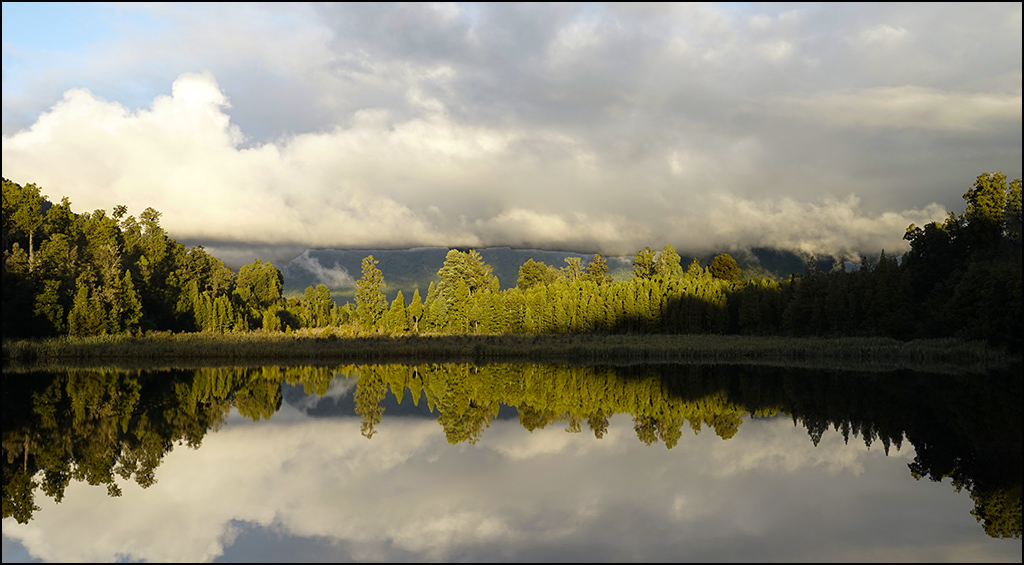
x=309, y=347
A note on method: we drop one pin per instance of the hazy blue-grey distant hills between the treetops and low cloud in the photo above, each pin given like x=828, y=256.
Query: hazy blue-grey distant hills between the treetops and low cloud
x=410, y=270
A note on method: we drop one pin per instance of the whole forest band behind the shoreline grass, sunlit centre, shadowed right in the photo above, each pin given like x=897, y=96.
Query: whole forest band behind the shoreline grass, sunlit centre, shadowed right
x=70, y=274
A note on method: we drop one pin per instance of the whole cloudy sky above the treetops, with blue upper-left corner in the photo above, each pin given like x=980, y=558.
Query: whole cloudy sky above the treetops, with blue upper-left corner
x=262, y=131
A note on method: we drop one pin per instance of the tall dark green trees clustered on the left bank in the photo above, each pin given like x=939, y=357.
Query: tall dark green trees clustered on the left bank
x=93, y=274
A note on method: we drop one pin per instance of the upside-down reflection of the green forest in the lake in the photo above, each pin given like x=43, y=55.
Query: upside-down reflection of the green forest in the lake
x=98, y=425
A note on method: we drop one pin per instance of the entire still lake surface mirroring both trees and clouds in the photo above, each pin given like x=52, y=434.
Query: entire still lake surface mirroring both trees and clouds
x=510, y=463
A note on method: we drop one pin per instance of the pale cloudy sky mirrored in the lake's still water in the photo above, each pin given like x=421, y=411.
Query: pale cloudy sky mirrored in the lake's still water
x=297, y=489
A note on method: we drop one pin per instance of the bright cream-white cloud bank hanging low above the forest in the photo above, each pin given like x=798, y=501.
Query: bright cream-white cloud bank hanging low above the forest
x=422, y=182
